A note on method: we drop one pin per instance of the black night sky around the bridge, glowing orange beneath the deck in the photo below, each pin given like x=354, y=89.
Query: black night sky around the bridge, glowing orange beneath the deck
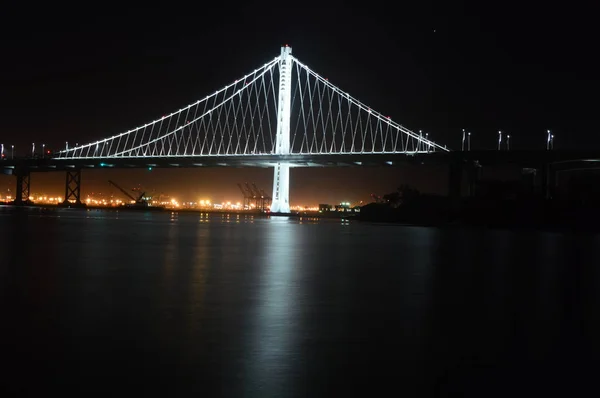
x=79, y=74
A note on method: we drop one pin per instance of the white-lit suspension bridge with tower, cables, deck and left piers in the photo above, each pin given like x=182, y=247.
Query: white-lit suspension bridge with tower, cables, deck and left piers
x=281, y=115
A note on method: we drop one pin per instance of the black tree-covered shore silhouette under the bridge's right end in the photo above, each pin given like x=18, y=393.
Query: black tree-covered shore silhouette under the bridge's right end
x=496, y=204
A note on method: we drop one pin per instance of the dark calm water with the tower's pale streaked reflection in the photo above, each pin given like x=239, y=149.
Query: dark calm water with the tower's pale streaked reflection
x=242, y=305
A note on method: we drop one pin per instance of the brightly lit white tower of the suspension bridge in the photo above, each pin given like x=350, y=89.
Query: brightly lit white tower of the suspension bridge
x=281, y=178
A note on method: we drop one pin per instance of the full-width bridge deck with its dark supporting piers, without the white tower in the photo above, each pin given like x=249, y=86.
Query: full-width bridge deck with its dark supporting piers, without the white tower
x=548, y=163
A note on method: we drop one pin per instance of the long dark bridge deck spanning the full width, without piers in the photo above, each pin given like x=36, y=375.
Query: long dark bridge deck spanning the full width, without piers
x=525, y=159
